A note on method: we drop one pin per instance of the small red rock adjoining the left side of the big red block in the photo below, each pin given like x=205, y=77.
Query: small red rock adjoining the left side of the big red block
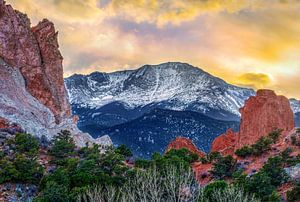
x=225, y=143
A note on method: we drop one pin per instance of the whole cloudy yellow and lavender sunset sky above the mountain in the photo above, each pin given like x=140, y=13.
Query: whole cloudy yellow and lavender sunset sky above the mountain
x=250, y=43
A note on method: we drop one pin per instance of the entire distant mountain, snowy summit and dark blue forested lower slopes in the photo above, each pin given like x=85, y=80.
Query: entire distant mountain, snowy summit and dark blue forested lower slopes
x=147, y=107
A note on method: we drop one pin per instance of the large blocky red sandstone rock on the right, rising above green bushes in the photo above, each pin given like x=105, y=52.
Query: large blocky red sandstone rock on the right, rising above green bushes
x=262, y=114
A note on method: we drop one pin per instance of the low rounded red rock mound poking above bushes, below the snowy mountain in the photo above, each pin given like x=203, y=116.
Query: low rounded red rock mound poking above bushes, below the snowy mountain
x=182, y=142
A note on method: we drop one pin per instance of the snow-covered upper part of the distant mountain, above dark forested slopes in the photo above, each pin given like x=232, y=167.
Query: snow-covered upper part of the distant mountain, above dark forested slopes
x=179, y=86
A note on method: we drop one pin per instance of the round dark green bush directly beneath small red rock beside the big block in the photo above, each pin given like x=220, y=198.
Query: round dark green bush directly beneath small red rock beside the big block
x=223, y=167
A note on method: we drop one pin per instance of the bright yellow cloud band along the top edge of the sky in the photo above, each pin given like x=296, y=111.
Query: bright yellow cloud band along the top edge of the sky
x=162, y=12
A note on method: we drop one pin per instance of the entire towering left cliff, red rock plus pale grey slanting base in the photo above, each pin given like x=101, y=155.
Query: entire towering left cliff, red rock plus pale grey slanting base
x=33, y=95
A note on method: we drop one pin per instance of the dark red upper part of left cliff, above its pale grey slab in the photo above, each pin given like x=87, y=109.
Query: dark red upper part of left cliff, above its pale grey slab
x=35, y=52
